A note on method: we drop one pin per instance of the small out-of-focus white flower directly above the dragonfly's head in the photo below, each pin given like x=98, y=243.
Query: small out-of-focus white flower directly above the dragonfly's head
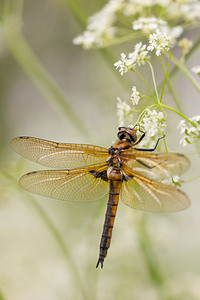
x=124, y=112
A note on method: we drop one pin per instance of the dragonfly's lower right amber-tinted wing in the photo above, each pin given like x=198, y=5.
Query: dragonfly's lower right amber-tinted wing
x=144, y=194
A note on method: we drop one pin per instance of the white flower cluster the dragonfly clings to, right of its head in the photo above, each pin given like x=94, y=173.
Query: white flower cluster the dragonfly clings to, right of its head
x=153, y=123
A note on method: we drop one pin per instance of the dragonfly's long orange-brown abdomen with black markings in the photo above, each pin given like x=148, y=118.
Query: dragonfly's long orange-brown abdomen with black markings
x=115, y=181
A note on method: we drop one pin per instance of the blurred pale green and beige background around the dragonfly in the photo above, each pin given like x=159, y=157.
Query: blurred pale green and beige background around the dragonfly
x=49, y=248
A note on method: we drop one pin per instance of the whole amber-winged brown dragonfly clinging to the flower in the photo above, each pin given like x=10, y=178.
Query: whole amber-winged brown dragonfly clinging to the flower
x=87, y=173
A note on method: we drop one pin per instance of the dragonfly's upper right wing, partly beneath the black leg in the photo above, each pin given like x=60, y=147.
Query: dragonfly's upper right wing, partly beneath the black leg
x=156, y=166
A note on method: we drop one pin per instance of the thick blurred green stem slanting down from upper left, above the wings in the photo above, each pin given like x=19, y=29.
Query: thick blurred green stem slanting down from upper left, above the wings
x=25, y=57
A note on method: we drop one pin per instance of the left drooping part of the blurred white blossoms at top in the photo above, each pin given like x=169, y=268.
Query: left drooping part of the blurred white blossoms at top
x=100, y=27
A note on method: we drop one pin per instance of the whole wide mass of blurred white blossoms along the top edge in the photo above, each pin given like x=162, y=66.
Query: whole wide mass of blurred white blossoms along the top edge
x=103, y=26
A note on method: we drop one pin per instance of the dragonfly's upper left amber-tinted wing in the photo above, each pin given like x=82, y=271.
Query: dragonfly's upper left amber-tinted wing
x=58, y=155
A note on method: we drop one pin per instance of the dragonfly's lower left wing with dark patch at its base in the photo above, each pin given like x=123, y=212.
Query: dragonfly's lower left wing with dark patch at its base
x=81, y=185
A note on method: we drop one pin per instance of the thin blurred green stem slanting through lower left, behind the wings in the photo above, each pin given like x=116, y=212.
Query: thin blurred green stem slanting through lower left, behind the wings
x=54, y=233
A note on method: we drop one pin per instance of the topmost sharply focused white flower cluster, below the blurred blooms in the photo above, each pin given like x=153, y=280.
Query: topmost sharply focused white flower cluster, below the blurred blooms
x=158, y=41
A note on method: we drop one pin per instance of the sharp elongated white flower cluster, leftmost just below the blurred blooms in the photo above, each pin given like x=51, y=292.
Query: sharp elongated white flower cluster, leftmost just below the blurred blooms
x=137, y=57
